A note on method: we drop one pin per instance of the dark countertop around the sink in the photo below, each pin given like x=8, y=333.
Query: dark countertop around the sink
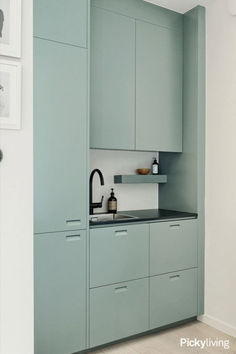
x=148, y=215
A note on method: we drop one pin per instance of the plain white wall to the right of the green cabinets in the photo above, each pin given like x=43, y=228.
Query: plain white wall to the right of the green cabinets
x=220, y=291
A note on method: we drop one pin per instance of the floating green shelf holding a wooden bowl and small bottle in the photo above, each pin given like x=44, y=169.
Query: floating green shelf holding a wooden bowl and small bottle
x=131, y=179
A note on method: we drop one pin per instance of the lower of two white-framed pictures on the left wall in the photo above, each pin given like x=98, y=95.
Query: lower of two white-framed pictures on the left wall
x=10, y=95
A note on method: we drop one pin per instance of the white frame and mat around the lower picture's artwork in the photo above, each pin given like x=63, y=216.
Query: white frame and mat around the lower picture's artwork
x=13, y=120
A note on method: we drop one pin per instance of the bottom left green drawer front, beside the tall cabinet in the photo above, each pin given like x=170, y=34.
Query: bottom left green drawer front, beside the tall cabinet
x=118, y=311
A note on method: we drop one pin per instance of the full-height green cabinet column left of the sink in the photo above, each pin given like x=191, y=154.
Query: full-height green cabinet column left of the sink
x=60, y=174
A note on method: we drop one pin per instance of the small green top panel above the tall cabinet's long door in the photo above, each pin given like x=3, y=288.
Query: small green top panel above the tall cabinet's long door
x=62, y=21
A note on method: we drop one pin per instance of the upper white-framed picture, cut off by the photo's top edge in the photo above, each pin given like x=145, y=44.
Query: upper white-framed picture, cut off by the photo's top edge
x=10, y=28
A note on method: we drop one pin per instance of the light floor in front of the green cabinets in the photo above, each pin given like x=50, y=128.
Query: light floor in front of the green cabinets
x=168, y=342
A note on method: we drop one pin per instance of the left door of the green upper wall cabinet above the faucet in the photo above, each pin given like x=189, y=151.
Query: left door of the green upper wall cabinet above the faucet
x=112, y=81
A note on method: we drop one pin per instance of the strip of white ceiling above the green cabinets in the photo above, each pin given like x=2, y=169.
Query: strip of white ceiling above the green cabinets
x=179, y=5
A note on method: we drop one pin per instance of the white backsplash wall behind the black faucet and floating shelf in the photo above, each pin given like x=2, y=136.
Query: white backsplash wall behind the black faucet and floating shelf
x=130, y=196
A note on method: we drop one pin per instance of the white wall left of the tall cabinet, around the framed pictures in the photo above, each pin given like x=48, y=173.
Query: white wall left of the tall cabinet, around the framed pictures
x=16, y=216
